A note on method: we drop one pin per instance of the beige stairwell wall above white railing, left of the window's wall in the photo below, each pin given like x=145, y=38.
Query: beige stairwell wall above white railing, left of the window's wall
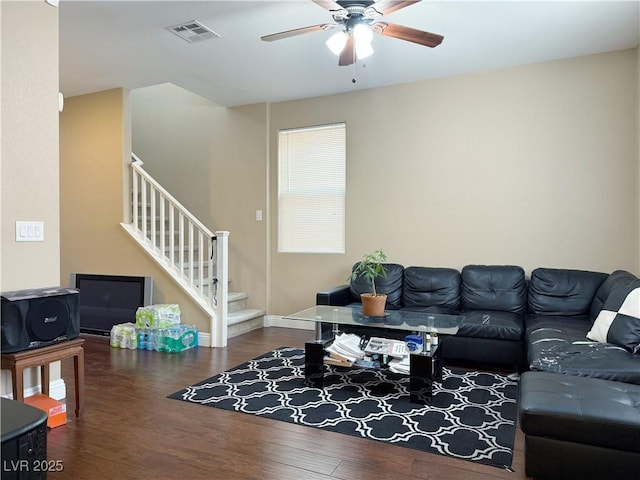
x=213, y=160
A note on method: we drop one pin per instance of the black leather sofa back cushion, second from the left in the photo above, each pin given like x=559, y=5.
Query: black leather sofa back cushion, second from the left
x=431, y=287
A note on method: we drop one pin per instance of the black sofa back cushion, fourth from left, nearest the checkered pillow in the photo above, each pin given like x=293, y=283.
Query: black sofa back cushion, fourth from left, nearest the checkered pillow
x=554, y=291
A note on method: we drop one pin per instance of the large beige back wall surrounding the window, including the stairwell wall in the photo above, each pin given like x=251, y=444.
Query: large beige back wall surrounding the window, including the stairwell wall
x=535, y=166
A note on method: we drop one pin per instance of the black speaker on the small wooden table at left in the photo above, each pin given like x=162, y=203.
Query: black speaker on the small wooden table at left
x=40, y=317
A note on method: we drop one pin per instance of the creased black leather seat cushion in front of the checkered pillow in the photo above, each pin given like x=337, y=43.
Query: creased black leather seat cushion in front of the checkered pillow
x=560, y=345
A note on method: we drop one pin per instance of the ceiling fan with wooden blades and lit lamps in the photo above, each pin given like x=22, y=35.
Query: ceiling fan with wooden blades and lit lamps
x=358, y=20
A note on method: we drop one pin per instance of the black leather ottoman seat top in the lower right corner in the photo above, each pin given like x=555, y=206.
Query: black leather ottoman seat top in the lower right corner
x=581, y=410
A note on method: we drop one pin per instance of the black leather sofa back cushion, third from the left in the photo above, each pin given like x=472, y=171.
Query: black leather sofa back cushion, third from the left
x=500, y=288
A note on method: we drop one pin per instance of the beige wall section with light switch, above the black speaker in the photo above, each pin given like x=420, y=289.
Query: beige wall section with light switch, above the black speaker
x=29, y=167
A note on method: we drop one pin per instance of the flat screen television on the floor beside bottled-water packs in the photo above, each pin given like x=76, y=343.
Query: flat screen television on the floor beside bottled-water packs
x=108, y=300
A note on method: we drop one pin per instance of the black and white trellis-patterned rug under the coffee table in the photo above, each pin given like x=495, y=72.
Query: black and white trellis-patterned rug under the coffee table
x=472, y=415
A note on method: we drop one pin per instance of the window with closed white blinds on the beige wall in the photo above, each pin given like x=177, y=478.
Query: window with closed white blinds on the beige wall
x=311, y=189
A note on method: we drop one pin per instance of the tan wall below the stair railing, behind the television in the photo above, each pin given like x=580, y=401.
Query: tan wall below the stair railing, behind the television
x=94, y=152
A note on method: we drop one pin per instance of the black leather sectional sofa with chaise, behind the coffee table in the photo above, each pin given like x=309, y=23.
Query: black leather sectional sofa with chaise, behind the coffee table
x=576, y=336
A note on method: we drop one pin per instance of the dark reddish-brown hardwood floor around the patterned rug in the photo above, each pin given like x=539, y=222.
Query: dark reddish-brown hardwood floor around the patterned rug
x=131, y=430
